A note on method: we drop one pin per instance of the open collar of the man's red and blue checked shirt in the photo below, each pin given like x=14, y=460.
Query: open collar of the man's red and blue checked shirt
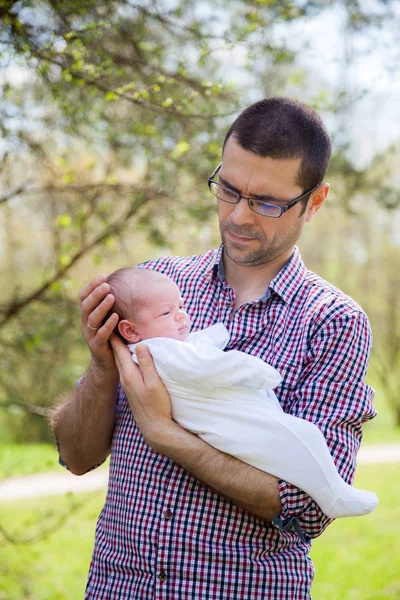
x=285, y=284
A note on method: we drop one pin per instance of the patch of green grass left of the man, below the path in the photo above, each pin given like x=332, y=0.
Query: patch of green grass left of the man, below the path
x=55, y=566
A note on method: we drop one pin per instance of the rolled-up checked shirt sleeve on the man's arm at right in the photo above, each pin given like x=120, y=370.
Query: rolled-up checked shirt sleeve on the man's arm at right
x=332, y=394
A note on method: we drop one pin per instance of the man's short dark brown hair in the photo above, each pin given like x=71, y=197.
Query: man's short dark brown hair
x=283, y=128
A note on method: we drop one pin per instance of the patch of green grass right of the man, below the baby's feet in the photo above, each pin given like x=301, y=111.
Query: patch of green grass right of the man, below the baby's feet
x=358, y=559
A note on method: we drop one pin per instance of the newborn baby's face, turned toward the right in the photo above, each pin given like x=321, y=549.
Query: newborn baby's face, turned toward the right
x=163, y=315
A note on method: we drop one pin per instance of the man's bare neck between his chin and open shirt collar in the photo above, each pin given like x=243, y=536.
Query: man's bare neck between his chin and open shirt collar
x=253, y=281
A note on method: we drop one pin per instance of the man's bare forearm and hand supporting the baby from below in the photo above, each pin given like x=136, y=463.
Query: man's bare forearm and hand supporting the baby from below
x=148, y=398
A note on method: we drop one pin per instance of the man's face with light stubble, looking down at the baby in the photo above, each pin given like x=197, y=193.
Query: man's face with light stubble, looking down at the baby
x=251, y=239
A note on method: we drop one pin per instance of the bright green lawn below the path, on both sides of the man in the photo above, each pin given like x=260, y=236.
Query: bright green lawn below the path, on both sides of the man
x=355, y=559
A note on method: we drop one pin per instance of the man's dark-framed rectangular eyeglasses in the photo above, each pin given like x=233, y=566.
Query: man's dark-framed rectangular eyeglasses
x=266, y=209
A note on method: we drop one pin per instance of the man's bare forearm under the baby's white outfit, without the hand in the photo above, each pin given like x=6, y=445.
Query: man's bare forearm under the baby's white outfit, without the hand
x=245, y=485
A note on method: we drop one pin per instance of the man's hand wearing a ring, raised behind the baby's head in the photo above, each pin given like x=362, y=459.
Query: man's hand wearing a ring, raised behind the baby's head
x=96, y=301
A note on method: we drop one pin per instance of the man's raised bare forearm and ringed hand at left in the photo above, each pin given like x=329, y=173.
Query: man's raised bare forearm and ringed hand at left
x=83, y=422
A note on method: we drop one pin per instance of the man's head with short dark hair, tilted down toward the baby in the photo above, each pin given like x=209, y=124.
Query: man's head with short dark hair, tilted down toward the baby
x=276, y=150
